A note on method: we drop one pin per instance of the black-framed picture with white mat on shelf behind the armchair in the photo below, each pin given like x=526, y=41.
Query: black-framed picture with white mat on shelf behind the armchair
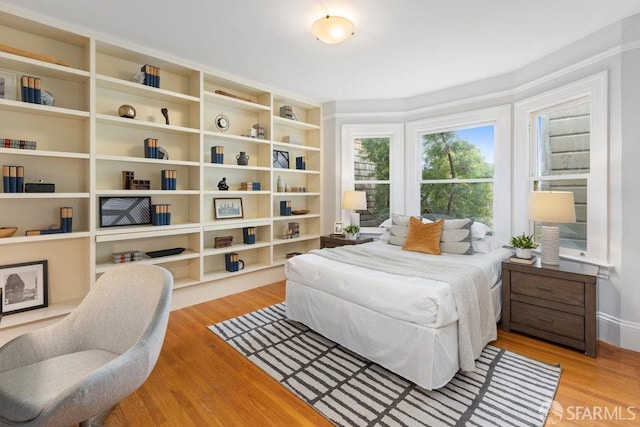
x=24, y=287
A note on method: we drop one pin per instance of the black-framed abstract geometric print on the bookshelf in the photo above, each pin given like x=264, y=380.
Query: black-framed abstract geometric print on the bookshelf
x=117, y=211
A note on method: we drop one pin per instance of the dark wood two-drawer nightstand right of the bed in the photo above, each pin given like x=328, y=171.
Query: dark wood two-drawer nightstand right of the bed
x=555, y=303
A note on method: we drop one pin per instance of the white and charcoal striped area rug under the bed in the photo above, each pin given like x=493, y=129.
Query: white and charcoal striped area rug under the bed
x=505, y=390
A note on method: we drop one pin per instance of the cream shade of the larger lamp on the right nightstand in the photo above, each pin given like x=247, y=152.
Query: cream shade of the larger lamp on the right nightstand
x=552, y=207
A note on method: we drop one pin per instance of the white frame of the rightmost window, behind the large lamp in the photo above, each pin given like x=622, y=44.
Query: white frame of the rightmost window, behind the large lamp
x=593, y=88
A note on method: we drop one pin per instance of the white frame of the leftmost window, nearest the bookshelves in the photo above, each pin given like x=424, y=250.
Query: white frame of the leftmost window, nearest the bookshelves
x=395, y=133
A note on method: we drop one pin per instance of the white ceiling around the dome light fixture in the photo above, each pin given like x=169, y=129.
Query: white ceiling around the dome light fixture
x=400, y=48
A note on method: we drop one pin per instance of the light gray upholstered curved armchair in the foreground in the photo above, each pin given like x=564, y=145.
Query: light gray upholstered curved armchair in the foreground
x=86, y=363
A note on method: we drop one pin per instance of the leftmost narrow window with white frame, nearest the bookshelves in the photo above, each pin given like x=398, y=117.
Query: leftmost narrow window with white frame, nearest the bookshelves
x=372, y=158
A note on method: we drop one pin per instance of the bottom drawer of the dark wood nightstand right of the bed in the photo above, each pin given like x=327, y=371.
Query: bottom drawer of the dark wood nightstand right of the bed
x=544, y=319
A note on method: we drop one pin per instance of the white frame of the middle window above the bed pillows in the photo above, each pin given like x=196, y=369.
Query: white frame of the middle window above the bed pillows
x=500, y=118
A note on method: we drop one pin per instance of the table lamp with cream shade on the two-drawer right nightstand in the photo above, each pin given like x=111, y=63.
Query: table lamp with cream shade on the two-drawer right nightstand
x=551, y=207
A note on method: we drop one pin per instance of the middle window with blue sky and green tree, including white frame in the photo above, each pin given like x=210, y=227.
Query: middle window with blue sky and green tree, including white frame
x=461, y=167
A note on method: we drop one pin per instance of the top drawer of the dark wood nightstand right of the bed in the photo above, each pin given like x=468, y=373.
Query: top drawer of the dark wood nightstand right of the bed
x=549, y=288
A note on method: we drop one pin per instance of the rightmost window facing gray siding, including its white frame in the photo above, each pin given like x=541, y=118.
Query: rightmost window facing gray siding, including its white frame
x=561, y=145
